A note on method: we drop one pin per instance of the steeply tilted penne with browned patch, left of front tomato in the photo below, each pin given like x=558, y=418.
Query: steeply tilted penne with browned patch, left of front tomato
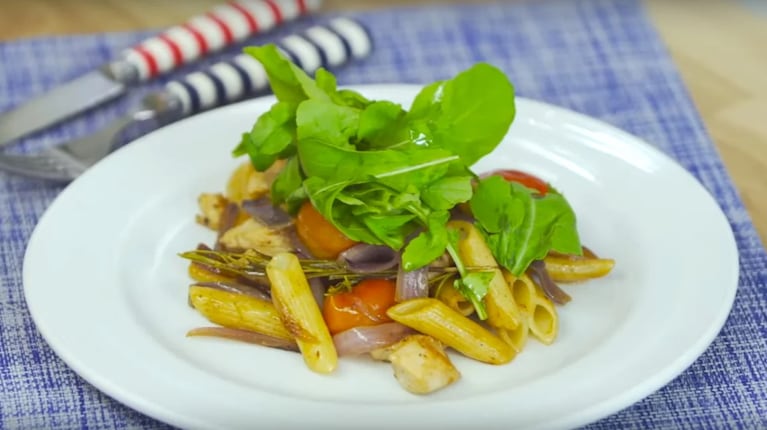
x=300, y=313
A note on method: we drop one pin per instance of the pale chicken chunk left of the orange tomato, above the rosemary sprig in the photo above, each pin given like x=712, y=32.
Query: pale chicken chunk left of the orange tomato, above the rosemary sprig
x=252, y=234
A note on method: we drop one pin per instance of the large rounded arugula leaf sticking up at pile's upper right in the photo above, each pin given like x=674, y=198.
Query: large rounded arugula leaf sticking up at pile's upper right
x=468, y=115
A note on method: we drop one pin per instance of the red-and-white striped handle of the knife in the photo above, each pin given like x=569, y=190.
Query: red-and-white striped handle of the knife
x=222, y=26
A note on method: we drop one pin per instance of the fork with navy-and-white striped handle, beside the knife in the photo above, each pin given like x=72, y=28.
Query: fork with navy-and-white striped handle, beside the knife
x=331, y=45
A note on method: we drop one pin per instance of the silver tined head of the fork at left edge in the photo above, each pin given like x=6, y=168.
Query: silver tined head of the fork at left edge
x=51, y=164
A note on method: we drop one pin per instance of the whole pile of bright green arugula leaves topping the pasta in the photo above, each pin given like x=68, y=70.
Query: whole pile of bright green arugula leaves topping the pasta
x=385, y=175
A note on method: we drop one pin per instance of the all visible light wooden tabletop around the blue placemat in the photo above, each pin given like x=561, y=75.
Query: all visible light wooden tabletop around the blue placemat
x=720, y=48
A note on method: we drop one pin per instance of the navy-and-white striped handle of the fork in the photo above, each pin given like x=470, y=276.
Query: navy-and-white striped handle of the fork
x=330, y=45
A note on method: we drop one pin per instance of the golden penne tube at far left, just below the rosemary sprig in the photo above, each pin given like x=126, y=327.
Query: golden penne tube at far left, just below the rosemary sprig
x=238, y=311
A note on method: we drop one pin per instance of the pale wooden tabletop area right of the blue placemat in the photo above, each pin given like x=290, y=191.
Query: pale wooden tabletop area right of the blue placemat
x=720, y=49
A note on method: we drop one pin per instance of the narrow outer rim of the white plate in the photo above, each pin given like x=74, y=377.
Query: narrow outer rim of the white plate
x=591, y=414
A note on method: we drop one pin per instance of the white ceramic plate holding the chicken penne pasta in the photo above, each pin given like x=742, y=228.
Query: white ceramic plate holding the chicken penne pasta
x=108, y=292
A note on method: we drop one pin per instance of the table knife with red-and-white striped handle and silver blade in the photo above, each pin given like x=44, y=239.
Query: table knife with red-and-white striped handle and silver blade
x=224, y=25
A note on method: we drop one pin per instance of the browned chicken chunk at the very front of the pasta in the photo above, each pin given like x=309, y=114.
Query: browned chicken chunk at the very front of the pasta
x=420, y=364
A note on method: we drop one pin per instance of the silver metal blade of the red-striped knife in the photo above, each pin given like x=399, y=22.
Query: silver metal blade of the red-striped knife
x=59, y=104
